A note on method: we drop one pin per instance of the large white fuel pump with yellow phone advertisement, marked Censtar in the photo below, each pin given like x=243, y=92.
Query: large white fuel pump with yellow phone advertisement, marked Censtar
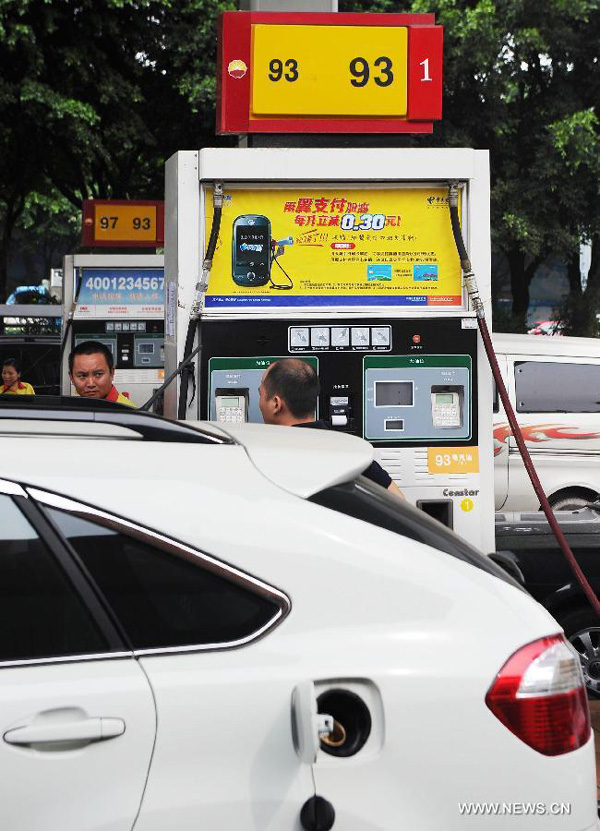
x=369, y=292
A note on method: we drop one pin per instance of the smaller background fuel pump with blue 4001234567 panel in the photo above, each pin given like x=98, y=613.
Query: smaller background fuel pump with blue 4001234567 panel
x=118, y=300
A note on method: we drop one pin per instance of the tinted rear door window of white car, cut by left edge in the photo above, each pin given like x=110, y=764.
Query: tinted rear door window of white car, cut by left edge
x=41, y=614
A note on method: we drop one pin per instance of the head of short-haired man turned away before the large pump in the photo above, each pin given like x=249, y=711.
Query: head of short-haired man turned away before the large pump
x=288, y=392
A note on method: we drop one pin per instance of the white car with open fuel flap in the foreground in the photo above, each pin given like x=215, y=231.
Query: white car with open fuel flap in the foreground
x=208, y=629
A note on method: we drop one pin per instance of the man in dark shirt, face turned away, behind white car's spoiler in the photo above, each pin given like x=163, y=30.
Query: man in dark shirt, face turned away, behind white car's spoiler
x=288, y=396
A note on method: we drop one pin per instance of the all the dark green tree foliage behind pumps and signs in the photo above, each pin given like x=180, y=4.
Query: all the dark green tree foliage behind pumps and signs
x=96, y=94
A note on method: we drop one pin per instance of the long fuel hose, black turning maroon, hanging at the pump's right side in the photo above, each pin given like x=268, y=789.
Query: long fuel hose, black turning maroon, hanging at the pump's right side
x=510, y=413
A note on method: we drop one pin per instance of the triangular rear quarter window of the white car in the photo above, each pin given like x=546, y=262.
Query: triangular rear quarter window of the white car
x=165, y=598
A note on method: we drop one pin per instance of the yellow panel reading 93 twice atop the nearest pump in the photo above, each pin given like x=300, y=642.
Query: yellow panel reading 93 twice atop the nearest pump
x=329, y=71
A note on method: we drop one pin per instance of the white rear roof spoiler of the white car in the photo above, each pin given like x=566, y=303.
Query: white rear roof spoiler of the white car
x=303, y=461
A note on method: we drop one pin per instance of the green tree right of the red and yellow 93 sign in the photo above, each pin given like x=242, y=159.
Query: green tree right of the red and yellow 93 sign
x=523, y=81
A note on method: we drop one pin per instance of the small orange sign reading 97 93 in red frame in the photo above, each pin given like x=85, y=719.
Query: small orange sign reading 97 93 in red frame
x=117, y=223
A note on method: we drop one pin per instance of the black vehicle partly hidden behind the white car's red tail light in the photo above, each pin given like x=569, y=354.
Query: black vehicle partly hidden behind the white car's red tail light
x=529, y=551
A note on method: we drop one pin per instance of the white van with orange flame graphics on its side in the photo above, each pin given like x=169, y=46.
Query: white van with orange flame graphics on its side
x=554, y=387
